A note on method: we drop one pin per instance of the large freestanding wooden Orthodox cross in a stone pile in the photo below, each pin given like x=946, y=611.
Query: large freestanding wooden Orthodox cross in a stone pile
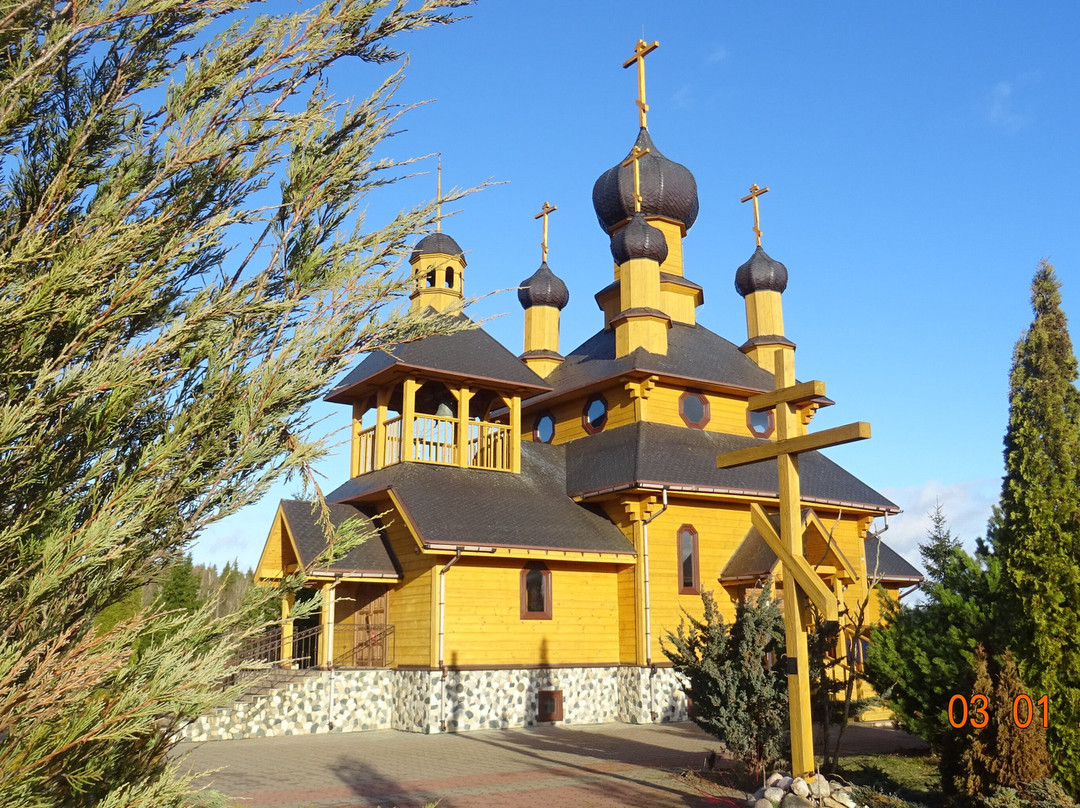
x=802, y=584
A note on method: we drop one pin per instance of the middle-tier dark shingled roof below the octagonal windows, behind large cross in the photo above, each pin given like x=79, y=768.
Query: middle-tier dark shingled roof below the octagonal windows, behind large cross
x=659, y=454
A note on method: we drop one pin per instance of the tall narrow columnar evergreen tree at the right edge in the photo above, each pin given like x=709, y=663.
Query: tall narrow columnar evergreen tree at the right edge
x=1038, y=537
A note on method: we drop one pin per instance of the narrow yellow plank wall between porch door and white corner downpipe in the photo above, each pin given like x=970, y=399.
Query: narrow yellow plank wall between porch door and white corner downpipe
x=411, y=602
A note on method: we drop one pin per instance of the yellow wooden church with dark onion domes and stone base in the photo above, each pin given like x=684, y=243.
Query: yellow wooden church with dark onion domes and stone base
x=539, y=521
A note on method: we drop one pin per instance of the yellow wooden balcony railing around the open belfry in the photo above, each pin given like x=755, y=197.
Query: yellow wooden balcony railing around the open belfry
x=435, y=441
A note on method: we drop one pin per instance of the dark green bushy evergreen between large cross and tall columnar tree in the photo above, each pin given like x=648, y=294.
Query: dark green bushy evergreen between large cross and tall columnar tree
x=923, y=654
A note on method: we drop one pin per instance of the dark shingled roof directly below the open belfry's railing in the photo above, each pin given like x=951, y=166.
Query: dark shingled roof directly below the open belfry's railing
x=453, y=506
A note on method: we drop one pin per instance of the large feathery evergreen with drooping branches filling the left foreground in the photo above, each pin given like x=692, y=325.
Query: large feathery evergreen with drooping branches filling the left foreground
x=183, y=270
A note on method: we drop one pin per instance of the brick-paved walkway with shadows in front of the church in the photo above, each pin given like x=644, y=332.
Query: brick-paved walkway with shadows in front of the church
x=600, y=766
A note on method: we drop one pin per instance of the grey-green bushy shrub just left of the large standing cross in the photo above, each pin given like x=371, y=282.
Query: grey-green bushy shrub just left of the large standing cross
x=738, y=697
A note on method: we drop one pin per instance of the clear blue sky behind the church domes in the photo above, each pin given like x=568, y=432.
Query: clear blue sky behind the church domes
x=922, y=157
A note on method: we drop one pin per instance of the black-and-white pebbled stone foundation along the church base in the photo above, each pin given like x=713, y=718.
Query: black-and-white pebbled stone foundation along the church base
x=424, y=702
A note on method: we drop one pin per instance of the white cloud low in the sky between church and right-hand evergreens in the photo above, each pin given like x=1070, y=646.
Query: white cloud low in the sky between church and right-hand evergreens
x=967, y=507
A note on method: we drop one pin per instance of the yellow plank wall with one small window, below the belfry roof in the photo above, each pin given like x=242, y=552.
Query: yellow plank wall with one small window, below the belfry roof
x=484, y=624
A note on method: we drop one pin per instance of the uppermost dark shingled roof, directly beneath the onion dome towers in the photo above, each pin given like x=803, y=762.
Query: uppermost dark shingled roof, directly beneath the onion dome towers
x=694, y=354
